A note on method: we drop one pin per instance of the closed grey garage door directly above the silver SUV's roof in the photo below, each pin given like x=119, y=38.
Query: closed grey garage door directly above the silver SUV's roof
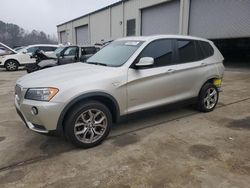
x=161, y=19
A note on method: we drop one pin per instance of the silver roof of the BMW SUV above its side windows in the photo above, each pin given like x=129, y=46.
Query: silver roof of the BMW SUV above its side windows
x=155, y=37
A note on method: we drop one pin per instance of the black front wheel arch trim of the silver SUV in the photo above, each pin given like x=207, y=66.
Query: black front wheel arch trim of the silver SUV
x=102, y=97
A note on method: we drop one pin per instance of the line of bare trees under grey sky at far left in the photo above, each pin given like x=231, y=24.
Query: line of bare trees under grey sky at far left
x=12, y=35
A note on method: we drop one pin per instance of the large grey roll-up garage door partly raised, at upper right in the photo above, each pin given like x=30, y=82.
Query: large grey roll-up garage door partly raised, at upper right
x=215, y=19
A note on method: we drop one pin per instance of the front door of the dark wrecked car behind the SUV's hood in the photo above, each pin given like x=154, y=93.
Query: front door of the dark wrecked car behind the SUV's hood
x=69, y=55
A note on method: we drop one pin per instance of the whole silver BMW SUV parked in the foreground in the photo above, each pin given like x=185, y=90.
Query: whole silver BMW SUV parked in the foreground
x=83, y=100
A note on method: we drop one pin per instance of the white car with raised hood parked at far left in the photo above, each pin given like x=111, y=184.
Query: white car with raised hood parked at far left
x=13, y=60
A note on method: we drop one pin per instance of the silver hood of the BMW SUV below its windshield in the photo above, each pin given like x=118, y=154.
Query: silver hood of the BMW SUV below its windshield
x=65, y=75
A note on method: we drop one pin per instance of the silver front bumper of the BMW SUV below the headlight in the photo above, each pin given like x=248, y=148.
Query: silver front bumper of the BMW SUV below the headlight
x=45, y=120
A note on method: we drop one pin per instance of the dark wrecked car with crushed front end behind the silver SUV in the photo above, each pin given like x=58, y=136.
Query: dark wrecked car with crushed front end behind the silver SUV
x=62, y=56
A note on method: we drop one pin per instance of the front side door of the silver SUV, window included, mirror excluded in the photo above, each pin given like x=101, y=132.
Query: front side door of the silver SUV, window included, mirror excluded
x=154, y=85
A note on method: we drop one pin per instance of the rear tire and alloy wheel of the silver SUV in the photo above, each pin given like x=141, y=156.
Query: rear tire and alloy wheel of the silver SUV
x=208, y=103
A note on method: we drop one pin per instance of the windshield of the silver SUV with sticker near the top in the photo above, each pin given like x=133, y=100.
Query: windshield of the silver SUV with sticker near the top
x=115, y=54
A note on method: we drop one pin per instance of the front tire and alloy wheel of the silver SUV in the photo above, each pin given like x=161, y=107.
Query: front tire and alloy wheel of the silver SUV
x=82, y=127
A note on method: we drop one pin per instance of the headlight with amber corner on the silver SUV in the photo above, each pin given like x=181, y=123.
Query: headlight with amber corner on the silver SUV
x=41, y=94
